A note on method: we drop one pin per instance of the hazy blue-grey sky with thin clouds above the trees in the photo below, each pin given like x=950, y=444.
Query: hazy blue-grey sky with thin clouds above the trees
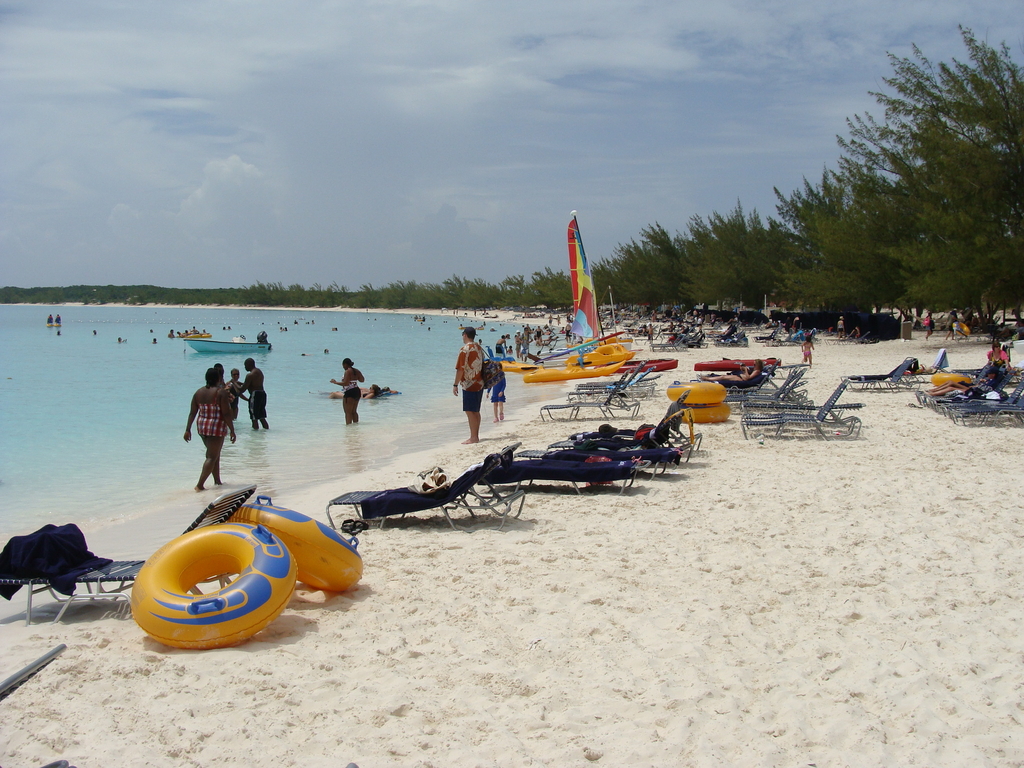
x=220, y=143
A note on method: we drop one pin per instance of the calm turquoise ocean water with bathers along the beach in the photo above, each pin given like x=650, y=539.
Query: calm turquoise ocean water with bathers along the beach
x=92, y=431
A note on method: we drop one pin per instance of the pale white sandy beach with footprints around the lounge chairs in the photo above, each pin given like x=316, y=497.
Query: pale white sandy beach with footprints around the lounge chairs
x=798, y=603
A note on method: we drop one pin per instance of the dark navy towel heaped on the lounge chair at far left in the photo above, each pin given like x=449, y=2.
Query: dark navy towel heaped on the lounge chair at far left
x=57, y=553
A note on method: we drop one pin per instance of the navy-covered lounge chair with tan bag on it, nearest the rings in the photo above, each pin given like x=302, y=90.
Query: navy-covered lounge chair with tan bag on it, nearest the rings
x=378, y=505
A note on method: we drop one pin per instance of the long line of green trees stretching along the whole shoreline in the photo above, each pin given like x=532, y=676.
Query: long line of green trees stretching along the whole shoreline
x=925, y=209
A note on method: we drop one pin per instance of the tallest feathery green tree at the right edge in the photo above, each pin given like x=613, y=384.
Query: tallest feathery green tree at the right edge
x=949, y=159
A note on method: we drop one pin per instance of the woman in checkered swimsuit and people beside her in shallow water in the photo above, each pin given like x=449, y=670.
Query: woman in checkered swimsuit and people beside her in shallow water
x=216, y=408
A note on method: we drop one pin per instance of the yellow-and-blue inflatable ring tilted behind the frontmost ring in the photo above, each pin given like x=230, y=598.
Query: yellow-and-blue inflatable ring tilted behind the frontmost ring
x=326, y=561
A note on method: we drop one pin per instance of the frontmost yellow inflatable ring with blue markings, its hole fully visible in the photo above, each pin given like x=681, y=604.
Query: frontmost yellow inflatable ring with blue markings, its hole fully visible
x=162, y=606
